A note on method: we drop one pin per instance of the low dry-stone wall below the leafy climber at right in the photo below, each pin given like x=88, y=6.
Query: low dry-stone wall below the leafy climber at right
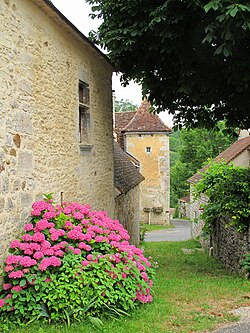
x=229, y=246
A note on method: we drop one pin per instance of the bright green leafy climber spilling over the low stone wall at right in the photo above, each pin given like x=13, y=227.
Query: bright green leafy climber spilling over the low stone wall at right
x=228, y=190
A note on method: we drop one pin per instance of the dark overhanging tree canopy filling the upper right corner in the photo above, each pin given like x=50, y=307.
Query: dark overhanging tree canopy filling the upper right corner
x=190, y=56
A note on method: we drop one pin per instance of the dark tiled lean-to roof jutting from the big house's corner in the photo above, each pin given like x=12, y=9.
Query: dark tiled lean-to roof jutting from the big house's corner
x=127, y=176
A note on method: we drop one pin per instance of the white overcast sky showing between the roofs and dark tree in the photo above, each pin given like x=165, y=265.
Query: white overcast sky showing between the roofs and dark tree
x=77, y=11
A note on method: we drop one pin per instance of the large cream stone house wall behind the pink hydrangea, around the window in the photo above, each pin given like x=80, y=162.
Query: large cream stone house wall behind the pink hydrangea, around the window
x=41, y=64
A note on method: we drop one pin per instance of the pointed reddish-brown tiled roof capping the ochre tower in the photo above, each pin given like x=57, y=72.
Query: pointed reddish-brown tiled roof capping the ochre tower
x=145, y=121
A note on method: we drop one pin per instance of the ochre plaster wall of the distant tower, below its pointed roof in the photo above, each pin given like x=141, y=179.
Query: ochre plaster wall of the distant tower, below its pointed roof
x=154, y=166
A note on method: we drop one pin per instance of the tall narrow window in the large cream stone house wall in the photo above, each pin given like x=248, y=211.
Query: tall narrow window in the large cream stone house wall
x=84, y=115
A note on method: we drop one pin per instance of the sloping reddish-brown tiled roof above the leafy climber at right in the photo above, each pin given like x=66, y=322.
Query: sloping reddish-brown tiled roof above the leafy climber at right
x=227, y=155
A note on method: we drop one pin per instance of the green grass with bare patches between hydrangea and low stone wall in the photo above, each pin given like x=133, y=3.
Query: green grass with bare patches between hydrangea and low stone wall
x=192, y=293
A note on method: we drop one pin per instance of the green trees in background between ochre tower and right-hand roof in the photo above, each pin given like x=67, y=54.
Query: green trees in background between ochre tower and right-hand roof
x=194, y=148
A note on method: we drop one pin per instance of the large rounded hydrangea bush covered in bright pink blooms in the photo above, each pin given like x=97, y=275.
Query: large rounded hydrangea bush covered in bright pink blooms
x=70, y=258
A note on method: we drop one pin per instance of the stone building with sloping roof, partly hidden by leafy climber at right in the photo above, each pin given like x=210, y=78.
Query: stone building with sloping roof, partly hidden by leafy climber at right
x=238, y=154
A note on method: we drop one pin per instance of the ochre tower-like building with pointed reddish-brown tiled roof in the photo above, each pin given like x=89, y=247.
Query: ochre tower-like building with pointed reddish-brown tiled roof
x=145, y=137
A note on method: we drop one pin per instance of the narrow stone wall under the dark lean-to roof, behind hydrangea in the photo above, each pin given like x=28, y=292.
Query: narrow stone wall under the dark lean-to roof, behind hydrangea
x=127, y=211
